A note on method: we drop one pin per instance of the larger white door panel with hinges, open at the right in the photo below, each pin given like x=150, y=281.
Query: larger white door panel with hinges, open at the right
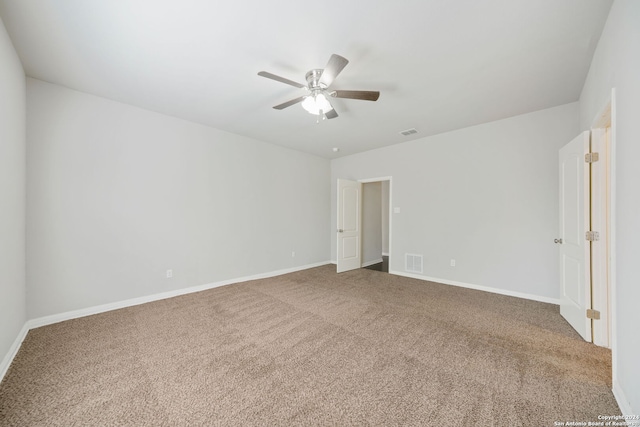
x=575, y=287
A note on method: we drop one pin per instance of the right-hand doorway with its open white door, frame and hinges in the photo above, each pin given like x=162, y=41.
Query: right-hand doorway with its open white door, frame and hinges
x=587, y=284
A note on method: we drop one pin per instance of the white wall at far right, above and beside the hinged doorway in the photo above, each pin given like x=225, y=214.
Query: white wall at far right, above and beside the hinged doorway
x=616, y=64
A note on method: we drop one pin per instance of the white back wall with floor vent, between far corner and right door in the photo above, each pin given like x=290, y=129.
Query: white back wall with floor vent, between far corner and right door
x=486, y=196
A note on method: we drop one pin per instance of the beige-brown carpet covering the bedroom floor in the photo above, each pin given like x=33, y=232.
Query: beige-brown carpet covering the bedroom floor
x=312, y=348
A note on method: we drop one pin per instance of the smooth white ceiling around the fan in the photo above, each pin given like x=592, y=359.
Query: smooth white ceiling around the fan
x=440, y=65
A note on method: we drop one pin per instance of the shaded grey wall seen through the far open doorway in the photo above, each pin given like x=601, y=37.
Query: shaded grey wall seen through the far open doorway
x=371, y=223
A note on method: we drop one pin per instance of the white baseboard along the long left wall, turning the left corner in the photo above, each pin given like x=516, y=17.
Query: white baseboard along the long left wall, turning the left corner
x=61, y=317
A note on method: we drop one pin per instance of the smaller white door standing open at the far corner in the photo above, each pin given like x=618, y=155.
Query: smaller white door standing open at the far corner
x=349, y=225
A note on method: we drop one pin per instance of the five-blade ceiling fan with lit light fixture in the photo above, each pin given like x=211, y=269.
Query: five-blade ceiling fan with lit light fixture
x=316, y=101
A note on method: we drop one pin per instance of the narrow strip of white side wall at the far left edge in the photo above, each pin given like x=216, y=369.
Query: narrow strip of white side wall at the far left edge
x=12, y=196
